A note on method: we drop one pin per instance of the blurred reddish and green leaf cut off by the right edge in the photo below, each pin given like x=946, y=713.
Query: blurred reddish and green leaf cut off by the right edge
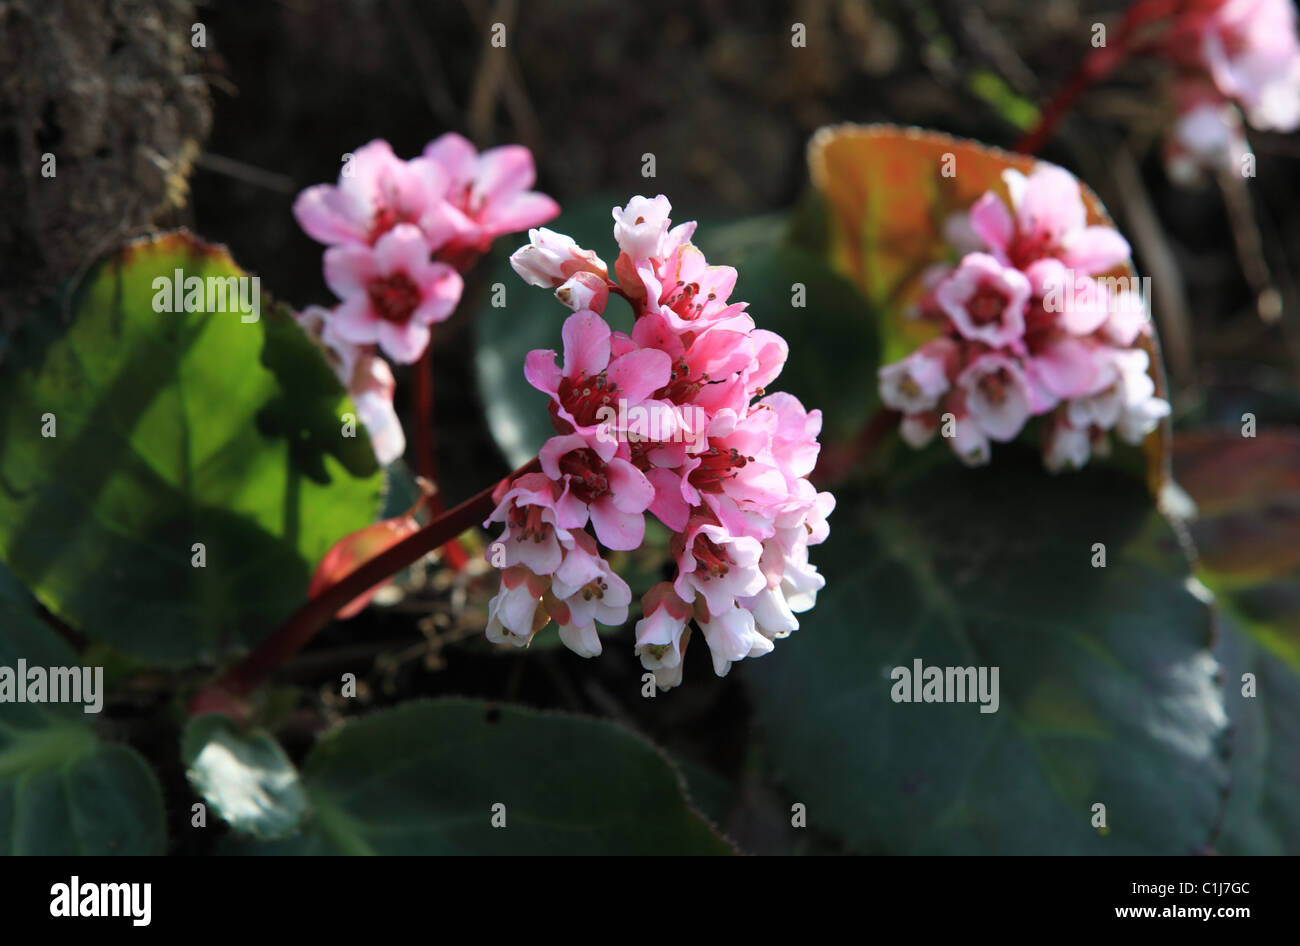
x=1249, y=543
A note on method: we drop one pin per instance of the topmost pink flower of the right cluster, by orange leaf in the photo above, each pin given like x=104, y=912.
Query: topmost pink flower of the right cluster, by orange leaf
x=1050, y=220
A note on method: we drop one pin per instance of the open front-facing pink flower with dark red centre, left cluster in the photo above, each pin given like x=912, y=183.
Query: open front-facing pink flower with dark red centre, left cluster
x=392, y=293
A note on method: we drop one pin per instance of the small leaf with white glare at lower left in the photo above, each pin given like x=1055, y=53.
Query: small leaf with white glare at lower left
x=245, y=776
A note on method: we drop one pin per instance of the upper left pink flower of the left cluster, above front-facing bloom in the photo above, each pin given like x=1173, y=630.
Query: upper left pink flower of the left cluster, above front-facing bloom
x=376, y=192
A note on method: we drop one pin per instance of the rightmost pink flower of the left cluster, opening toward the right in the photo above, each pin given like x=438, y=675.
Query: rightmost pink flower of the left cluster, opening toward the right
x=489, y=193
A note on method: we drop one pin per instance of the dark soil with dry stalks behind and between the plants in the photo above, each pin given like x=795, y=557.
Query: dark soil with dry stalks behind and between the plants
x=716, y=90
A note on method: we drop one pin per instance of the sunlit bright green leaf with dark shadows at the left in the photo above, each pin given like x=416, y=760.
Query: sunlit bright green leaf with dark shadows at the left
x=174, y=429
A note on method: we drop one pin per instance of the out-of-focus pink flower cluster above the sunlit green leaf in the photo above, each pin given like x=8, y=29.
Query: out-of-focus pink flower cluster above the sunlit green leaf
x=400, y=236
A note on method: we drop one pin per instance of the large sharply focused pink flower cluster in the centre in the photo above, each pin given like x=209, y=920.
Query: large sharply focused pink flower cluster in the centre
x=674, y=420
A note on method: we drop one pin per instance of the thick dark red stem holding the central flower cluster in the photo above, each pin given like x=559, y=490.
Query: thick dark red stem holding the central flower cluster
x=227, y=695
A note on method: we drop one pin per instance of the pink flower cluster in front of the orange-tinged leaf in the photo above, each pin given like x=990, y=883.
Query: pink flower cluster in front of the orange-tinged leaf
x=1030, y=326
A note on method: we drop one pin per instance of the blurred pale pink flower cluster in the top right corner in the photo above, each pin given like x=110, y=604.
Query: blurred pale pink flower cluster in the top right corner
x=1234, y=57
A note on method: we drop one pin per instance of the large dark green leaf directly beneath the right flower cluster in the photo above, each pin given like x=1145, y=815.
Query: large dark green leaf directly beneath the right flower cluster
x=1107, y=692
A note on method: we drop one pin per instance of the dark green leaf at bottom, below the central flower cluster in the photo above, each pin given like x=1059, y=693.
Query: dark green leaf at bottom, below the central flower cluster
x=426, y=779
